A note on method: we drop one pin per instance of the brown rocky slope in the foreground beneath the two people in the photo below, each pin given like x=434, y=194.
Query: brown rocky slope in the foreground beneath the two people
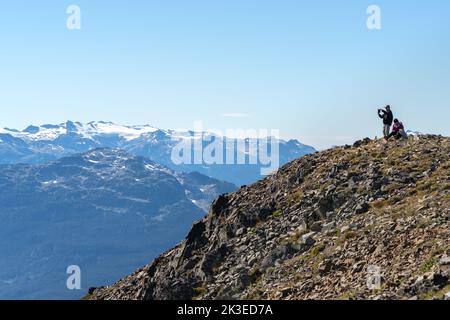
x=368, y=221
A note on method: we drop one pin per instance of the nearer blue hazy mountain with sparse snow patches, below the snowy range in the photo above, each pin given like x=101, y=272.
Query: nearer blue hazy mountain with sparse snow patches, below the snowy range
x=106, y=211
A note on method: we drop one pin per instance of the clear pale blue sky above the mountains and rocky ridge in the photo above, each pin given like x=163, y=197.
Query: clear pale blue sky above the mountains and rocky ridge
x=309, y=68
